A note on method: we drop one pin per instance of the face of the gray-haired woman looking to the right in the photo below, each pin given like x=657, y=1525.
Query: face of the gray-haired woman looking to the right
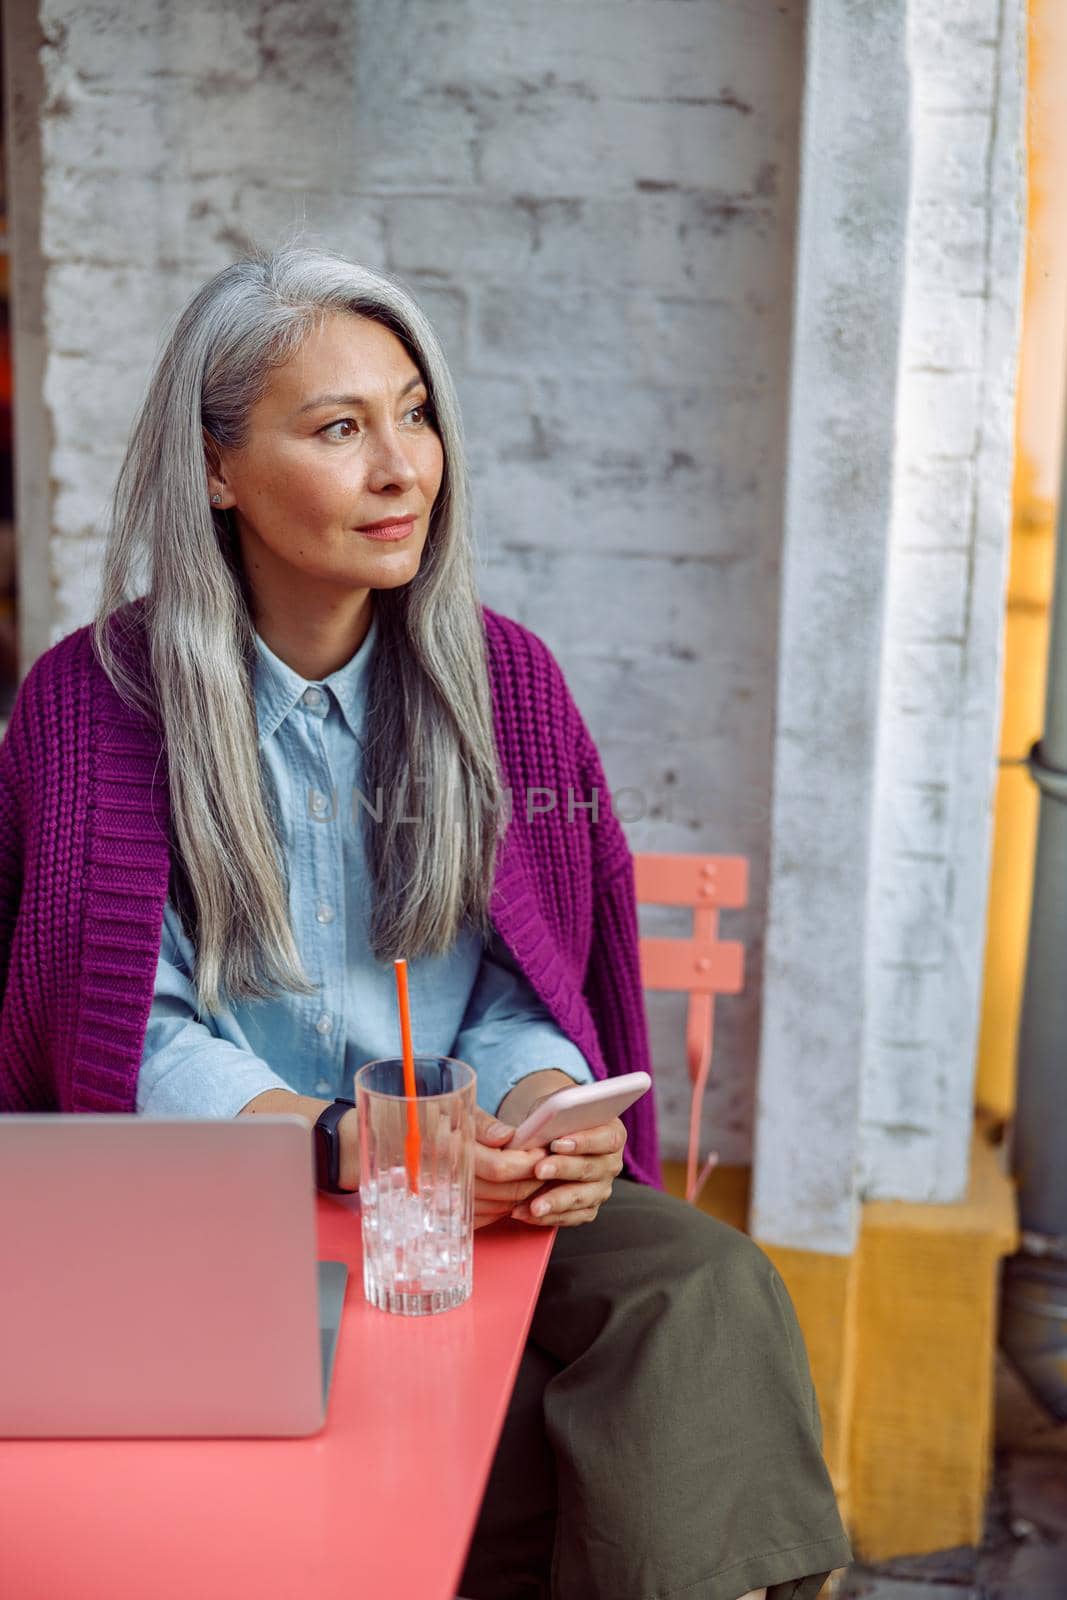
x=340, y=441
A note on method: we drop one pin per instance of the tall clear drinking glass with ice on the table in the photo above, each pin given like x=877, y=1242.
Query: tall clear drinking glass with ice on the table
x=418, y=1222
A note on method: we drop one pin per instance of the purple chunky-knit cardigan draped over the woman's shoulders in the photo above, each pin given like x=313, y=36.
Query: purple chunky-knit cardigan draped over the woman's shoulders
x=86, y=870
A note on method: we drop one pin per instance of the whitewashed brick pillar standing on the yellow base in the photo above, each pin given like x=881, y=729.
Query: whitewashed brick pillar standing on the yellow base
x=895, y=554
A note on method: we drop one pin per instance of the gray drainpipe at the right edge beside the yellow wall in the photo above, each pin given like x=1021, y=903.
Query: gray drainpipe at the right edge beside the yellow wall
x=1034, y=1310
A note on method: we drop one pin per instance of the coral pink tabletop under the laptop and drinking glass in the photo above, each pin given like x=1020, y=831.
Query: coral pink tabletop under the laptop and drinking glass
x=380, y=1506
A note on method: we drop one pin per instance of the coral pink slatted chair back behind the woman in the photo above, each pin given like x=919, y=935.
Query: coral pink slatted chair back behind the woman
x=703, y=966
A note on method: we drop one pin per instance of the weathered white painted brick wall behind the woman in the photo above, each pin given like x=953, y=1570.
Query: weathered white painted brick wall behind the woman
x=596, y=207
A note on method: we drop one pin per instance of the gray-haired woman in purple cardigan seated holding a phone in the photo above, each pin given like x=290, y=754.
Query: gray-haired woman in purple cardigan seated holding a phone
x=308, y=750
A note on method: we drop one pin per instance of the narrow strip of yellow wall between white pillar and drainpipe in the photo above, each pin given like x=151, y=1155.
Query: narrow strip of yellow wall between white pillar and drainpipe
x=1039, y=444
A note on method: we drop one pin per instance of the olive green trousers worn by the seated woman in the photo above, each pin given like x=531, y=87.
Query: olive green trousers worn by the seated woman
x=665, y=1439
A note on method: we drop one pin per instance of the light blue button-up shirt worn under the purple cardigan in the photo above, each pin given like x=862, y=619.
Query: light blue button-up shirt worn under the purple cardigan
x=473, y=1004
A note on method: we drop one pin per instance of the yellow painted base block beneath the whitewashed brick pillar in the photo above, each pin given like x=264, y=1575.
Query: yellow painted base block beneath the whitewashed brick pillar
x=925, y=1337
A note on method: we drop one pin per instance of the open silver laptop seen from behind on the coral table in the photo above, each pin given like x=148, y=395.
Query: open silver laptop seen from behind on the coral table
x=159, y=1279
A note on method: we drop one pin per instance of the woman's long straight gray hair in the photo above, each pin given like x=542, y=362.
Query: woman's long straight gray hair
x=430, y=724
